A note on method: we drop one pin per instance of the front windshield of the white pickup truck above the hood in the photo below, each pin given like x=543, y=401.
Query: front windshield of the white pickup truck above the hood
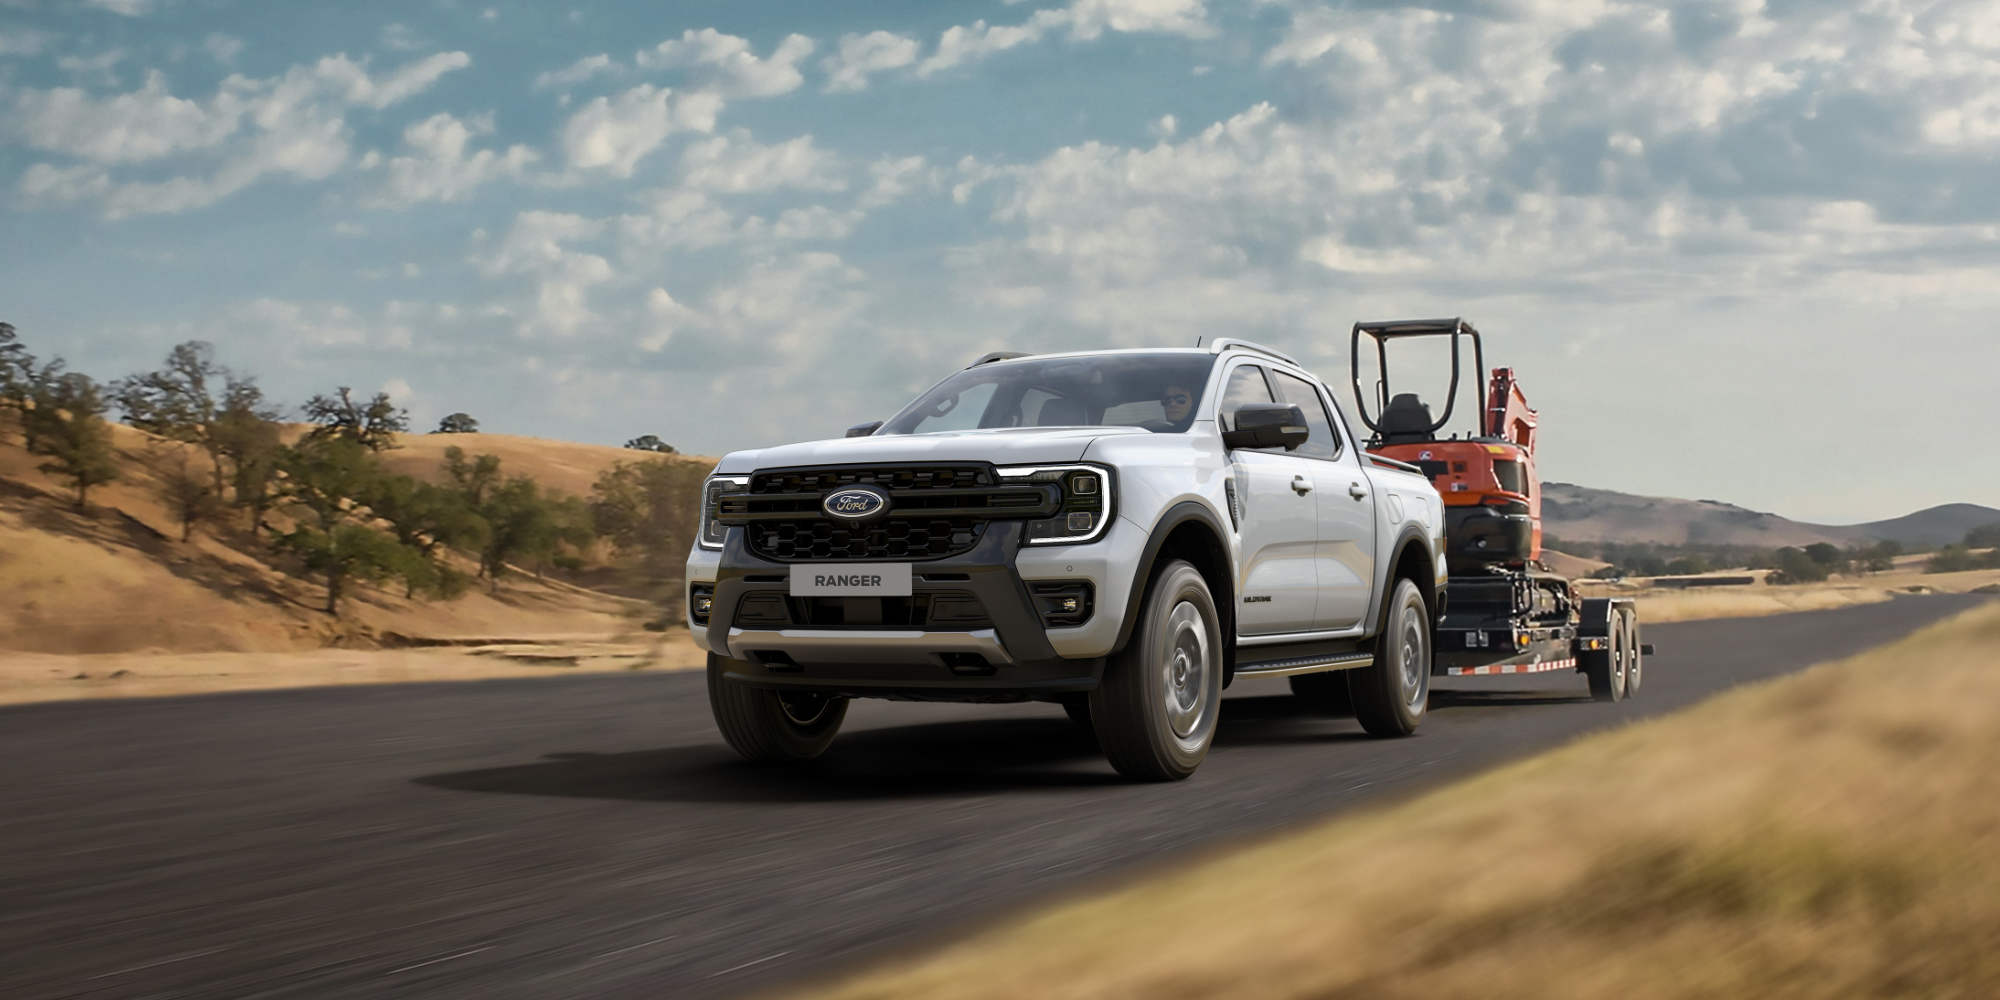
x=1159, y=393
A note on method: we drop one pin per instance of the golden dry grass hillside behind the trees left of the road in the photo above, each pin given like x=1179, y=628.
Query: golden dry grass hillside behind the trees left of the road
x=117, y=579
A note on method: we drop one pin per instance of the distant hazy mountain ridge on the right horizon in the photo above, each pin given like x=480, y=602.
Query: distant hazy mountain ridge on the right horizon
x=1587, y=515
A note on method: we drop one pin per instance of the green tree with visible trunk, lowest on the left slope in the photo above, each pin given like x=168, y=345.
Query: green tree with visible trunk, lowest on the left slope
x=335, y=535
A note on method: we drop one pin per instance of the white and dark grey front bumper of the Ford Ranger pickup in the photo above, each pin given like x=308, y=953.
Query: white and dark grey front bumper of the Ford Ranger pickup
x=1011, y=657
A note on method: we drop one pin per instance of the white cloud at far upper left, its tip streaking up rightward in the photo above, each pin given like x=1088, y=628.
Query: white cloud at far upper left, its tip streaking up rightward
x=251, y=129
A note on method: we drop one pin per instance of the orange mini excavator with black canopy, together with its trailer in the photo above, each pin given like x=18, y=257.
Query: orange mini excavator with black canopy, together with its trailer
x=1505, y=613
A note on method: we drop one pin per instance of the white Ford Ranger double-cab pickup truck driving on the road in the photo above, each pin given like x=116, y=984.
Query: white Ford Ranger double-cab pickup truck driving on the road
x=1123, y=533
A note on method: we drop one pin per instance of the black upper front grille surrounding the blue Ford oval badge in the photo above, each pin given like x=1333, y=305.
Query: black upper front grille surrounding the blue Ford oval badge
x=935, y=511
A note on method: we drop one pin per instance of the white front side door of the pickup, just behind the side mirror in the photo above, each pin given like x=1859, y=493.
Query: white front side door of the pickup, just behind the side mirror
x=1277, y=521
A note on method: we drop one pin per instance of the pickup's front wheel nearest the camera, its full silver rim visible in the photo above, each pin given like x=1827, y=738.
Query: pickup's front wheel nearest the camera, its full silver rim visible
x=1155, y=711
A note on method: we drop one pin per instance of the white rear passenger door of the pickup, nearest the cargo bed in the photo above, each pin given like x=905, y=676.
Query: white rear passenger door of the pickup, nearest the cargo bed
x=1347, y=529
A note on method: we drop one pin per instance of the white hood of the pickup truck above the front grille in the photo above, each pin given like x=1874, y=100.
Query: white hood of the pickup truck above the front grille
x=1003, y=447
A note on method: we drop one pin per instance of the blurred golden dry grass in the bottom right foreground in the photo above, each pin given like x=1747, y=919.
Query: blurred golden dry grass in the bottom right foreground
x=1823, y=835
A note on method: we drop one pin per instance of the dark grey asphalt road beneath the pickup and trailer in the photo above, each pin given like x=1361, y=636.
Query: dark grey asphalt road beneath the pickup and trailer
x=593, y=837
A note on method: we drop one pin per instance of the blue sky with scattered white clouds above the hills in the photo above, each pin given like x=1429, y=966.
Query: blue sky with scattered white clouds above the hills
x=1739, y=251
